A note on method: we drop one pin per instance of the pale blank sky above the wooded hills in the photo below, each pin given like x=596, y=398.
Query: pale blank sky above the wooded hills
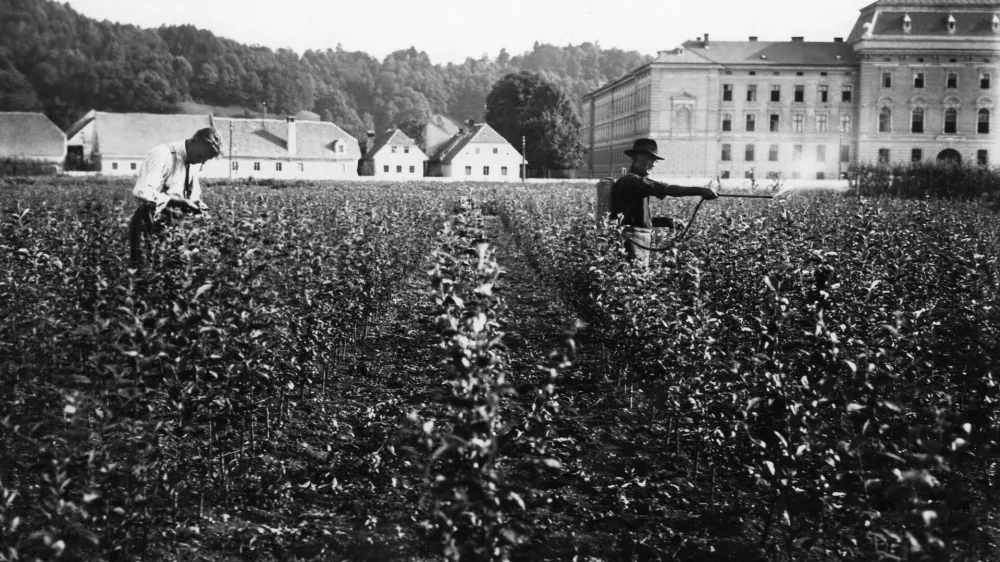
x=451, y=30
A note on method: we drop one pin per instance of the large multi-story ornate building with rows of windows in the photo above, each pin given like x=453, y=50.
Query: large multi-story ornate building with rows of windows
x=915, y=80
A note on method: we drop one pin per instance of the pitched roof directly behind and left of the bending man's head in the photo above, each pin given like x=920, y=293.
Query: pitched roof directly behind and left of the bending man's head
x=126, y=134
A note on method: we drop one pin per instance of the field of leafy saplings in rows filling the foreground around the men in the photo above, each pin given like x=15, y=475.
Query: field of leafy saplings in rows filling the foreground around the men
x=377, y=371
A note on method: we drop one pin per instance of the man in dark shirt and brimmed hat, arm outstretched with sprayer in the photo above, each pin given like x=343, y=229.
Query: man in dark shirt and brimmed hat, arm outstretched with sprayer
x=630, y=198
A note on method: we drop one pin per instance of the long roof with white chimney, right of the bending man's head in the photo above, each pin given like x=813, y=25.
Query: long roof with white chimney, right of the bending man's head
x=268, y=138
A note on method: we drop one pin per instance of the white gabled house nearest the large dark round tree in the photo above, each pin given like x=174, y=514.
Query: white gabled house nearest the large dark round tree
x=476, y=153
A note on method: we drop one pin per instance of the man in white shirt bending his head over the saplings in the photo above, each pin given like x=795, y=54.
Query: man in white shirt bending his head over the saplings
x=168, y=179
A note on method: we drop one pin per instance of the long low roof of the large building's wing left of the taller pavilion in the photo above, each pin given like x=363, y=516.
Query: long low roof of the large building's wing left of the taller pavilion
x=771, y=53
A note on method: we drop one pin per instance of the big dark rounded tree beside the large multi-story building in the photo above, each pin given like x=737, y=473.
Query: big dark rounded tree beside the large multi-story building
x=525, y=104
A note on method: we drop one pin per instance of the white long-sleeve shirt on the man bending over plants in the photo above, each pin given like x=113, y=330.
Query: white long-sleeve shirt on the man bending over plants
x=161, y=176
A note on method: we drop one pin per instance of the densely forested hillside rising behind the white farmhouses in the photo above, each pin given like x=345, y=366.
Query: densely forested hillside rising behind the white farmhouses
x=64, y=63
